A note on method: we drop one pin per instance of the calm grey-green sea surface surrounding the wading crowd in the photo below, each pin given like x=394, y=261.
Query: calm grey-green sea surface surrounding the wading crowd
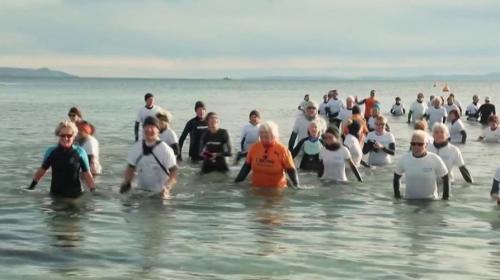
x=214, y=229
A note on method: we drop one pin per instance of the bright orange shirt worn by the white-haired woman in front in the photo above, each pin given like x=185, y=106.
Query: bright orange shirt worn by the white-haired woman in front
x=269, y=164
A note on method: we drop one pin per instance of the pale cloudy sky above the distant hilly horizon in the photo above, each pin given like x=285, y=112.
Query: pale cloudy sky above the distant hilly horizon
x=257, y=38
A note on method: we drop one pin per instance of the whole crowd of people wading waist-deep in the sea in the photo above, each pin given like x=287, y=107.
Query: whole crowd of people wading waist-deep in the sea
x=329, y=140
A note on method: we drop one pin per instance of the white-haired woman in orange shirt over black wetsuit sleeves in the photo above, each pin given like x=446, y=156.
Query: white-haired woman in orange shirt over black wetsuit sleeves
x=269, y=160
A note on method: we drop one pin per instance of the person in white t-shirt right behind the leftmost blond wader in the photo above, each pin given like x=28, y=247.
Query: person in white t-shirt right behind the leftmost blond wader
x=90, y=145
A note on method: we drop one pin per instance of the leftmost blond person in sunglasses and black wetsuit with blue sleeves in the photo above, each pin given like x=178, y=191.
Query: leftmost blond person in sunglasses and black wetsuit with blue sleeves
x=66, y=161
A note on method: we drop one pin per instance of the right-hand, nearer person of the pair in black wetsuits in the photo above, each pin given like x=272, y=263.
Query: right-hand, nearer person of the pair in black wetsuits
x=215, y=146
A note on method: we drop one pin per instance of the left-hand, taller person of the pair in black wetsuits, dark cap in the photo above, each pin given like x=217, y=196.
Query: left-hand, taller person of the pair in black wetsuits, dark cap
x=195, y=127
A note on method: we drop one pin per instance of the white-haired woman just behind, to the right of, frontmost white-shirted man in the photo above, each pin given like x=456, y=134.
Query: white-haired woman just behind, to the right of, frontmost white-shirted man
x=448, y=152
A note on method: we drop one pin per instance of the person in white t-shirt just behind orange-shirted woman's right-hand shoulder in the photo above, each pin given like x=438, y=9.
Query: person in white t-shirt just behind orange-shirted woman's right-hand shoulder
x=301, y=124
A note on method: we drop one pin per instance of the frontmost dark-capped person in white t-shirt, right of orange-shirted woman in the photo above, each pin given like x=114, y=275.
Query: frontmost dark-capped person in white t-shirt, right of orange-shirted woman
x=333, y=158
